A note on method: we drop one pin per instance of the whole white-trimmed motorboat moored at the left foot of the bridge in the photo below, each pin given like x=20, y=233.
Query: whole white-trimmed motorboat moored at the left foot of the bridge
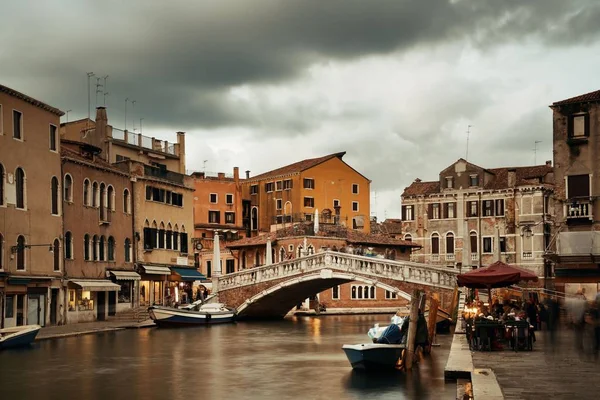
x=201, y=312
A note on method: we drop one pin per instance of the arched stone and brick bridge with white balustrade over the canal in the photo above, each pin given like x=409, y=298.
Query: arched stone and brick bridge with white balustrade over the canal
x=273, y=290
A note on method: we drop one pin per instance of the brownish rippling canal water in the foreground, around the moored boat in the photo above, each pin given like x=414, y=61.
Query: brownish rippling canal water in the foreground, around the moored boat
x=297, y=358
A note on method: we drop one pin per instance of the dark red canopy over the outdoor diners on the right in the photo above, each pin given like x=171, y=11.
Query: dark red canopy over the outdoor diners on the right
x=496, y=275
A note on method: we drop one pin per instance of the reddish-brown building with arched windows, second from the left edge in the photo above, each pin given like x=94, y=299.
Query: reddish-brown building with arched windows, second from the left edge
x=98, y=235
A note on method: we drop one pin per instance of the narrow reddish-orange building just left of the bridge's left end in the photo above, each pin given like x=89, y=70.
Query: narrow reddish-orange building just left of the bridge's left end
x=218, y=207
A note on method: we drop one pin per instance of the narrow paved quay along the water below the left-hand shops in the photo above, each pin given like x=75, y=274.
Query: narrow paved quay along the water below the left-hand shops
x=84, y=328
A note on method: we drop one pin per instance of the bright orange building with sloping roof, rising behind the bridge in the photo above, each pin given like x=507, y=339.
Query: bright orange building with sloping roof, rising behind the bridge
x=294, y=192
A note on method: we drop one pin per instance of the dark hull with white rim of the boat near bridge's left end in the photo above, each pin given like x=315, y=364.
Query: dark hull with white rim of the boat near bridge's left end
x=165, y=317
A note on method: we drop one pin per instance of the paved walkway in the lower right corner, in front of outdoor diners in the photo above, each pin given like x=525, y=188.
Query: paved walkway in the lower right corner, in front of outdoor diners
x=544, y=373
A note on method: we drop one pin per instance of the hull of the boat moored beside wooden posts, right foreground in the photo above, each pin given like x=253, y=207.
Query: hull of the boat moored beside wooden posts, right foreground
x=373, y=356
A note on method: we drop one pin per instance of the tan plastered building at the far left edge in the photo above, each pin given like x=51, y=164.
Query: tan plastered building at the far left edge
x=31, y=267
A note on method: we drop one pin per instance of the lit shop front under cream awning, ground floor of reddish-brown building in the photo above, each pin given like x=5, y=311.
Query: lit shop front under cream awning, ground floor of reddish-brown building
x=90, y=300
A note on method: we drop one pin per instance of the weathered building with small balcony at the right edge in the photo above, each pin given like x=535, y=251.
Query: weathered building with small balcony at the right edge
x=576, y=243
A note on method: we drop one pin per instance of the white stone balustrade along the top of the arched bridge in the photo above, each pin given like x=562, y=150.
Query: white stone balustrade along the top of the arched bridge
x=367, y=266
